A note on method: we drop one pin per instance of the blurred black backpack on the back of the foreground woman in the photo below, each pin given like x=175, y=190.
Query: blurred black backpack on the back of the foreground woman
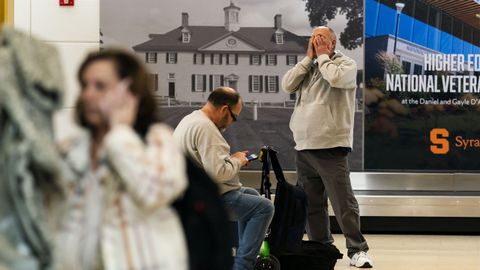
x=205, y=222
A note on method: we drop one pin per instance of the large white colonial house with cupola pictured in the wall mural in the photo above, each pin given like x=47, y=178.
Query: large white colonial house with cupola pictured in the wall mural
x=190, y=61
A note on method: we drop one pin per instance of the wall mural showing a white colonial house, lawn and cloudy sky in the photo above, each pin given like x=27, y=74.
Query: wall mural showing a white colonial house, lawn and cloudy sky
x=192, y=47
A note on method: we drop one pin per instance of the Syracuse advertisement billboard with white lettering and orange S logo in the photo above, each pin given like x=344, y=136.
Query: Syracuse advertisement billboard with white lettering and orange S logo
x=422, y=94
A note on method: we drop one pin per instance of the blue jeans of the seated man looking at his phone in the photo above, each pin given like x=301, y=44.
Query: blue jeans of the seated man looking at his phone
x=253, y=214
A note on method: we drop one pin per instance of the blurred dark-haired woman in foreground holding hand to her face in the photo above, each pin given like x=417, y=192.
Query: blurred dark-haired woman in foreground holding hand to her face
x=122, y=175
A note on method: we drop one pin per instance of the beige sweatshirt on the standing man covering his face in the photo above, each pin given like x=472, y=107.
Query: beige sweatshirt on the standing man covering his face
x=324, y=110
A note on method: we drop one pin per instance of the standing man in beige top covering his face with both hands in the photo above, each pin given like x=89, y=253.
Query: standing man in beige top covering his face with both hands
x=322, y=126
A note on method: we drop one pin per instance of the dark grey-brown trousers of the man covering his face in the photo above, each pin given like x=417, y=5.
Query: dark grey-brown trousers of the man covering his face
x=325, y=174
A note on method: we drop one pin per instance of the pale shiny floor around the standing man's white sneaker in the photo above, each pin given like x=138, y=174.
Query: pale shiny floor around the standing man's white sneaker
x=418, y=252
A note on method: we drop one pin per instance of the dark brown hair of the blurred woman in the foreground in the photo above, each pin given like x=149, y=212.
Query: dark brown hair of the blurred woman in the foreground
x=128, y=66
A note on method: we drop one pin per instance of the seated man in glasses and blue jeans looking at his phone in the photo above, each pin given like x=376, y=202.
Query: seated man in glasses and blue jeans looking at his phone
x=199, y=134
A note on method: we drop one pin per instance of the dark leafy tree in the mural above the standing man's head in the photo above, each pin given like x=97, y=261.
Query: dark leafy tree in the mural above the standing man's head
x=321, y=11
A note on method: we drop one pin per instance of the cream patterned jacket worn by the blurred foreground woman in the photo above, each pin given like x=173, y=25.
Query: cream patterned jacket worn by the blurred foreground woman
x=119, y=215
